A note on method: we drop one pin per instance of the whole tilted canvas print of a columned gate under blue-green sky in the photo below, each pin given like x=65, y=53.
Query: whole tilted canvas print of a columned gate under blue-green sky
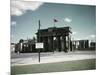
x=50, y=37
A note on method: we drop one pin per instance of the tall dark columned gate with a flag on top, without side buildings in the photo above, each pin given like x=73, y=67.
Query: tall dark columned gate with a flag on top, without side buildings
x=55, y=39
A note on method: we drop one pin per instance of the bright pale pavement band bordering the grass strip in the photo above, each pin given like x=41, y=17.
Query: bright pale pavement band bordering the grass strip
x=56, y=57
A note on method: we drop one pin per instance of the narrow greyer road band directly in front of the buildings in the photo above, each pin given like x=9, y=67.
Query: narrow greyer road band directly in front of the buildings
x=34, y=55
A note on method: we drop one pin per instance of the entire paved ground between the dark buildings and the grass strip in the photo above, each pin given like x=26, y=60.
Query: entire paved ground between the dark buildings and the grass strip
x=50, y=57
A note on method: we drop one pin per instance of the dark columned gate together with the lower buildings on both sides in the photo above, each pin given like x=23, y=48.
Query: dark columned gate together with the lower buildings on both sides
x=54, y=39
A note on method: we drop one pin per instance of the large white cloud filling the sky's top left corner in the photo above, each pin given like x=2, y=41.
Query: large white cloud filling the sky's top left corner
x=20, y=7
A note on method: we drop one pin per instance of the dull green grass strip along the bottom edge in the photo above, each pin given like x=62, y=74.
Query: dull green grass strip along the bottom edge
x=87, y=64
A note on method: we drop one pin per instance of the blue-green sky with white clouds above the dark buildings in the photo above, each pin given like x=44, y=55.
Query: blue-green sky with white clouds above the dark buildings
x=25, y=16
